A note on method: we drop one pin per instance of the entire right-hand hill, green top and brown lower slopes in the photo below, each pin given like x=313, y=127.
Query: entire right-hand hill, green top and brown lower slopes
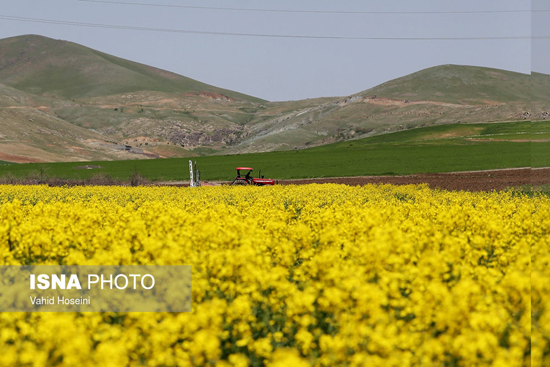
x=439, y=95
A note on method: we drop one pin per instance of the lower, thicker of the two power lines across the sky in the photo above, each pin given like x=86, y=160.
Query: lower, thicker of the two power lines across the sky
x=169, y=30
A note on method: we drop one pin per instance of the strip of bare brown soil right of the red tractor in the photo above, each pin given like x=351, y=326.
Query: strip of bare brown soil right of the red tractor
x=493, y=180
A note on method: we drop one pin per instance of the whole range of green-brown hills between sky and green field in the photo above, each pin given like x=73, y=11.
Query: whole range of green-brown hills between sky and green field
x=60, y=101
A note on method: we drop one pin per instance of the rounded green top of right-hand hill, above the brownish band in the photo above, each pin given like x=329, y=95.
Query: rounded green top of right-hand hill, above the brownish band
x=465, y=84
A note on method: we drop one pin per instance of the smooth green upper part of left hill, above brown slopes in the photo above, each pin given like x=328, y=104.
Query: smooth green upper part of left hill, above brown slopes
x=39, y=65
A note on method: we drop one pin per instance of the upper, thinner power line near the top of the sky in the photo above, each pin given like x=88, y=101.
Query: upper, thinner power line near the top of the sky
x=307, y=11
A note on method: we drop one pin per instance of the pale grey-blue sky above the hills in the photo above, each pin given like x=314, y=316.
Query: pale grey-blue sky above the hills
x=279, y=69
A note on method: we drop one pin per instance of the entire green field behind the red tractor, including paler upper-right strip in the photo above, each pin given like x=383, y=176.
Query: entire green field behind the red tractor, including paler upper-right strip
x=433, y=149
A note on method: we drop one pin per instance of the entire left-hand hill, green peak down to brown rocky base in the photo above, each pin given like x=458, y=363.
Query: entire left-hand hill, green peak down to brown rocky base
x=60, y=101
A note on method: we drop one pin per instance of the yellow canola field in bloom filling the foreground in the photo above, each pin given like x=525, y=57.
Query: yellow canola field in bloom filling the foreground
x=322, y=275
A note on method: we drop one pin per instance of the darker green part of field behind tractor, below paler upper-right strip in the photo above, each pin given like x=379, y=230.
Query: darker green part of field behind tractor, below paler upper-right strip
x=316, y=162
